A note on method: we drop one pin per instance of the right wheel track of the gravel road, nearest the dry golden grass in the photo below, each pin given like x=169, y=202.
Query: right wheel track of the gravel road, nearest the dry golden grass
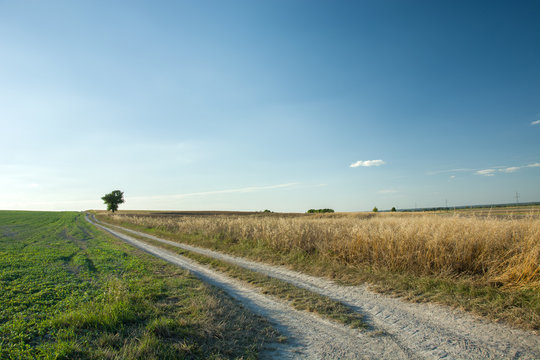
x=425, y=330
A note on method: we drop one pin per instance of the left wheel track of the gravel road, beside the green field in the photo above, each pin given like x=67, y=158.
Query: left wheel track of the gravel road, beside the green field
x=309, y=337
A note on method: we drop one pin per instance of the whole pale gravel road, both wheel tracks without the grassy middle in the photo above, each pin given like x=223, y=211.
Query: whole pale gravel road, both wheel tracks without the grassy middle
x=398, y=329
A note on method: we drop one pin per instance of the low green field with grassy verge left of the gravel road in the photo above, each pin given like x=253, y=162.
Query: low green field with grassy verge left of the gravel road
x=70, y=291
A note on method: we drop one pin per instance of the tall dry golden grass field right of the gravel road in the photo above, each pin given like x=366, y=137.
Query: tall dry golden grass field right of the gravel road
x=494, y=250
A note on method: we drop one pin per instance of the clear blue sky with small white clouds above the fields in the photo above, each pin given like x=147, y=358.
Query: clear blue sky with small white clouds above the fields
x=252, y=105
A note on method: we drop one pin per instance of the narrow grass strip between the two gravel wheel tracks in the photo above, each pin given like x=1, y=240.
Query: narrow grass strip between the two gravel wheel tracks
x=299, y=298
